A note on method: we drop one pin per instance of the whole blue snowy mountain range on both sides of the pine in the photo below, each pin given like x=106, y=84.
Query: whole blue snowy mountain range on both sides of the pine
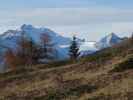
x=9, y=40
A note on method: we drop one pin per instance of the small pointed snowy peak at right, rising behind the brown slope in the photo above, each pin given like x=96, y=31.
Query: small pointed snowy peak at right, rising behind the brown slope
x=108, y=41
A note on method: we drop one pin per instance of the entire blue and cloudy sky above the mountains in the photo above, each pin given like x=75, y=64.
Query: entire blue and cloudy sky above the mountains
x=89, y=19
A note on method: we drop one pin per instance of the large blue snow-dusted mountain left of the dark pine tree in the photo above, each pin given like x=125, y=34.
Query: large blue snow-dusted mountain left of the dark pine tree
x=9, y=39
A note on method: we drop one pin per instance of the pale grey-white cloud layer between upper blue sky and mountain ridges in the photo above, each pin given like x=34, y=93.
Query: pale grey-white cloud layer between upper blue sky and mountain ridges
x=88, y=21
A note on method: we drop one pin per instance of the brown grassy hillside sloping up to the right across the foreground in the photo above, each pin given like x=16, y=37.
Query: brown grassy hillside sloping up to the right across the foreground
x=105, y=75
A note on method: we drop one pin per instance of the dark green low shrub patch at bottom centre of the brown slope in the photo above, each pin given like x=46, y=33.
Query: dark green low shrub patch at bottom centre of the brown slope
x=75, y=91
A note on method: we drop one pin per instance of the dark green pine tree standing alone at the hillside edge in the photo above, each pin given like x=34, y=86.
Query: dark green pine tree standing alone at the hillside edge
x=74, y=49
